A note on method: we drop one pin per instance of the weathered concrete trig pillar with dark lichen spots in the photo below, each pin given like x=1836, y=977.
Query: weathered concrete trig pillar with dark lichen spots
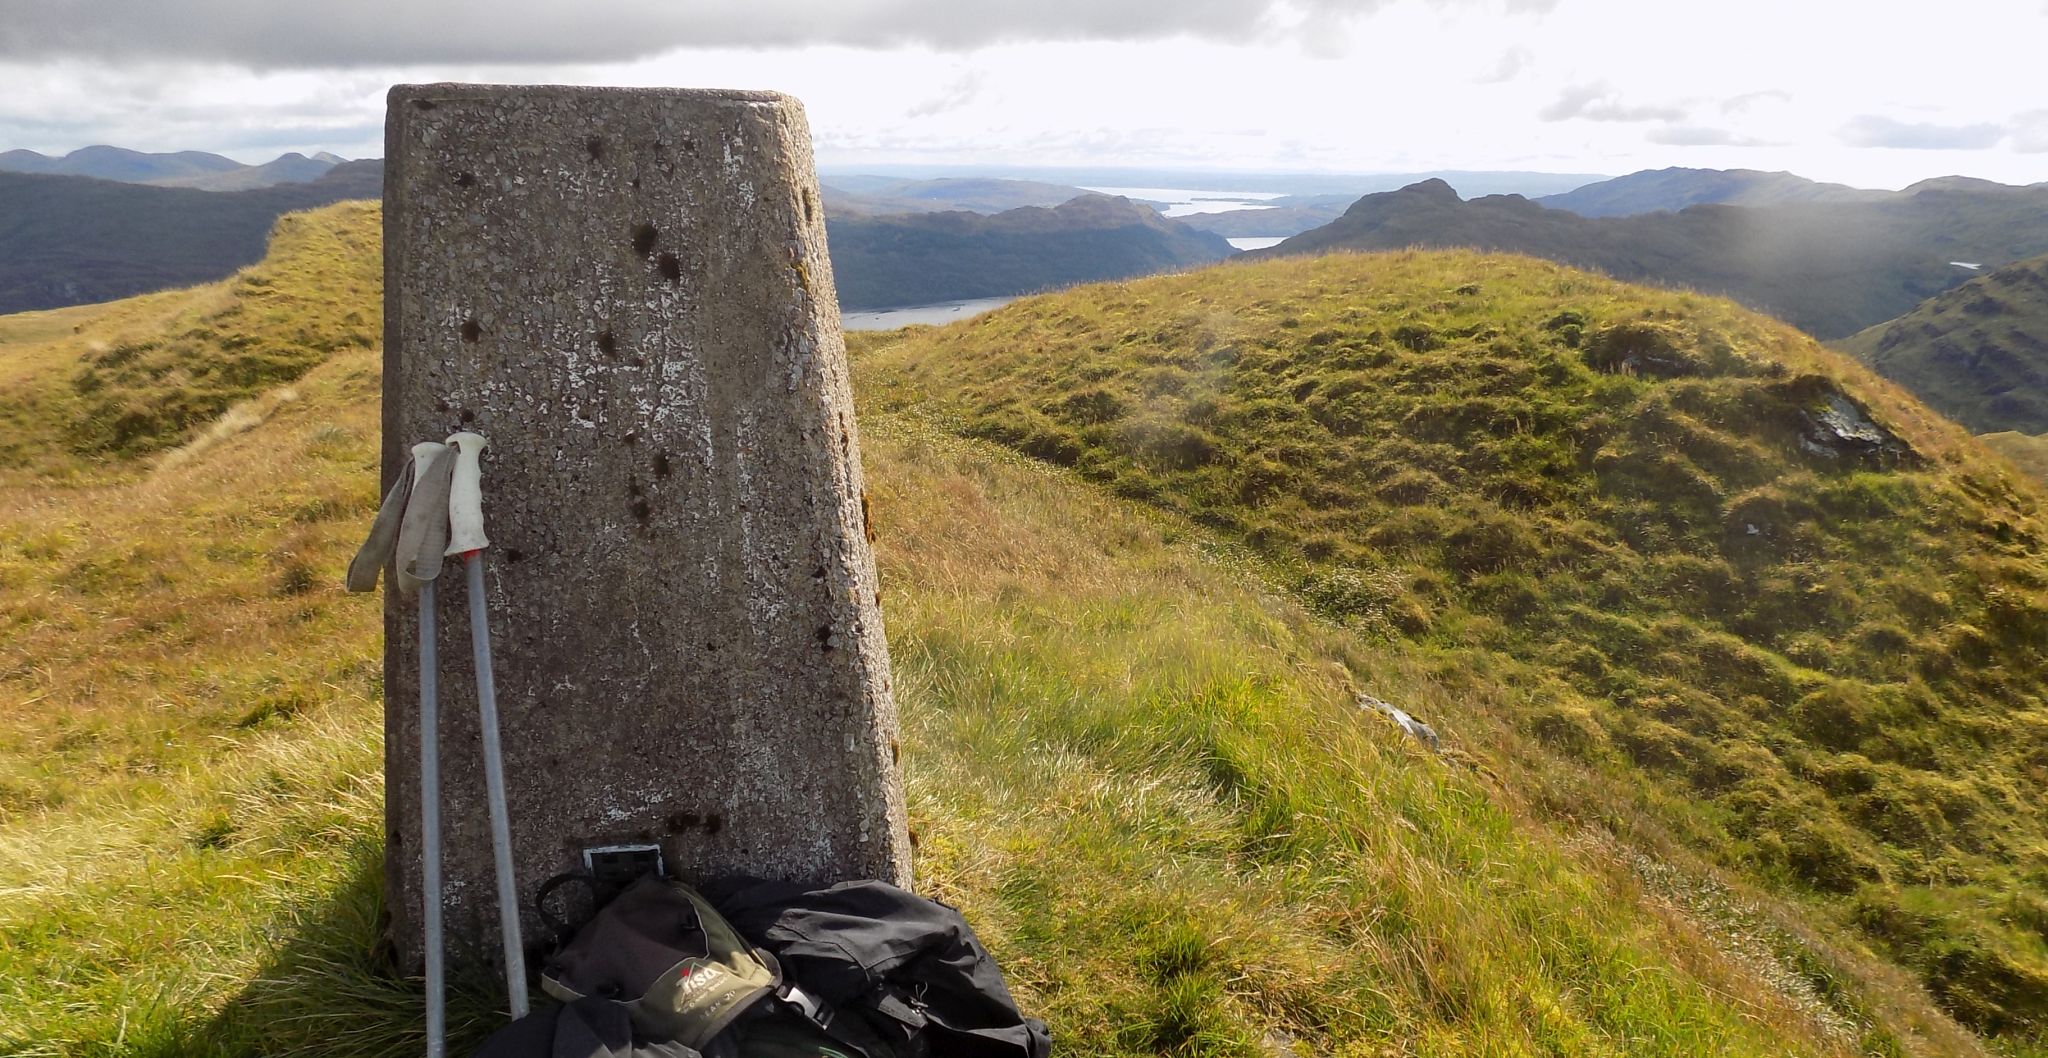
x=628, y=294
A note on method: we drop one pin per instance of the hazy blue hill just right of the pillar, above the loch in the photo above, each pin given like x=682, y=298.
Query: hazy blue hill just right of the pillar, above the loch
x=923, y=259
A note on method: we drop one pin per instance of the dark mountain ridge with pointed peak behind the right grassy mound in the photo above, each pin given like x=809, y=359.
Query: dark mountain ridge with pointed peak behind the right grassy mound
x=1828, y=267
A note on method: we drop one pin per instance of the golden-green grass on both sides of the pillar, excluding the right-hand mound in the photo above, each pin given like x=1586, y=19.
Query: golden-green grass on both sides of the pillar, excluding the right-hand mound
x=1134, y=764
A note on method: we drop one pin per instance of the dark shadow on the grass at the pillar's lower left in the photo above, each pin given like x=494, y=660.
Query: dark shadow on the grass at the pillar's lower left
x=331, y=989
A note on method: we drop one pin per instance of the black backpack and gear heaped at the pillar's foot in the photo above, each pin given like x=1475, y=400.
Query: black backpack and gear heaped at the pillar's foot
x=773, y=971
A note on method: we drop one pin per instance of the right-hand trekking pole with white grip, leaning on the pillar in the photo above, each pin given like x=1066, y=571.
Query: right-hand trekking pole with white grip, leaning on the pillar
x=466, y=539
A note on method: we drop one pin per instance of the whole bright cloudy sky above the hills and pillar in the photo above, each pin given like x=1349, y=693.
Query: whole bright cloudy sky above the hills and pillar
x=1867, y=93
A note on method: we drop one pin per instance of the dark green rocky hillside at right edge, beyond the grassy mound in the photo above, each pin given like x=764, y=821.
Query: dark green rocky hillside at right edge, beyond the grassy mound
x=1977, y=355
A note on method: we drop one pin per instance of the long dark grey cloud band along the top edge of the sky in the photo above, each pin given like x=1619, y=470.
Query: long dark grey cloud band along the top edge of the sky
x=343, y=34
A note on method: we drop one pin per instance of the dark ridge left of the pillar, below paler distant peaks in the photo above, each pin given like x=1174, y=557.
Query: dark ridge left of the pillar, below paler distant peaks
x=69, y=240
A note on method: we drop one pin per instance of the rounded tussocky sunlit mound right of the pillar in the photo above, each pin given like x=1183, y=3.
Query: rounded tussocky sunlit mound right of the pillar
x=1762, y=597
